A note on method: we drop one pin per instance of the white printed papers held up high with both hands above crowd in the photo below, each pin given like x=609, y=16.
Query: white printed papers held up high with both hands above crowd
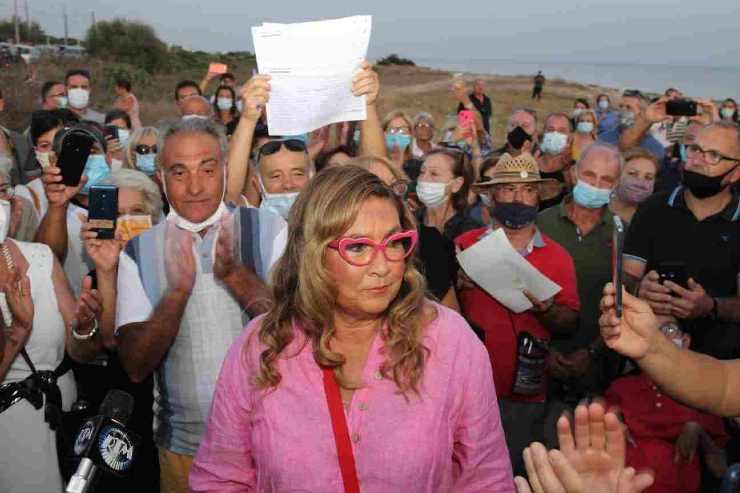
x=312, y=65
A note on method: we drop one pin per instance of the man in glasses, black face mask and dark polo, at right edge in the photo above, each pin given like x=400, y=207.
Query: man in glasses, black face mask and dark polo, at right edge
x=682, y=252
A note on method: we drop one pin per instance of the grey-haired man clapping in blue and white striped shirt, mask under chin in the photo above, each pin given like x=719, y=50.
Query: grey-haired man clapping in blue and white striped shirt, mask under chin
x=188, y=286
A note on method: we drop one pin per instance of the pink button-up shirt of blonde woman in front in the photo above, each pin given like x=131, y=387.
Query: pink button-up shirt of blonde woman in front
x=447, y=439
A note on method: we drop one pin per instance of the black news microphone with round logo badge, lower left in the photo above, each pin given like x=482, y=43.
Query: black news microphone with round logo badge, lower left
x=103, y=443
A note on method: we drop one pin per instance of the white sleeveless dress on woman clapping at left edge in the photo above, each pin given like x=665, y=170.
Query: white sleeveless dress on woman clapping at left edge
x=28, y=457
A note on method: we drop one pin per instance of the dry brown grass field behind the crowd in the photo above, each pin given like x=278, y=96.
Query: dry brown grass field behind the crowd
x=412, y=89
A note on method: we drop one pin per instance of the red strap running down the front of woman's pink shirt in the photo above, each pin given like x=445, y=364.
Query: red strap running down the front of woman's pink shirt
x=341, y=433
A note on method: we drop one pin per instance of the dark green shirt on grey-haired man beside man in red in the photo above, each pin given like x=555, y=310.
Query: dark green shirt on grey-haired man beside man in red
x=592, y=255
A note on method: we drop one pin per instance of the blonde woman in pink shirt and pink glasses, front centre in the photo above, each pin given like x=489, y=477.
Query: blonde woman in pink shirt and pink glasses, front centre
x=415, y=408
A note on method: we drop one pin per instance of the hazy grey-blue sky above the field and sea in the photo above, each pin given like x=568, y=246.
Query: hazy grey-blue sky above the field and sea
x=693, y=32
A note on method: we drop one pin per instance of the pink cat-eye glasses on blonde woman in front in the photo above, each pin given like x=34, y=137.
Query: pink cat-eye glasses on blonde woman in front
x=362, y=251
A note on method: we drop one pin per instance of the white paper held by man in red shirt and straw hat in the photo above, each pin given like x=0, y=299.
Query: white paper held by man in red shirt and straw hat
x=495, y=266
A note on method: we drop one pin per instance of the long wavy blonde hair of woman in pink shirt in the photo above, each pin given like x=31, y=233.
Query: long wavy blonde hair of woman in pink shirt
x=305, y=295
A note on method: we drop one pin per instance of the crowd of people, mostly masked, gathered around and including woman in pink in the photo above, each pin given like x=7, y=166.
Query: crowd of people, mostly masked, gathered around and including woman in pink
x=290, y=314
